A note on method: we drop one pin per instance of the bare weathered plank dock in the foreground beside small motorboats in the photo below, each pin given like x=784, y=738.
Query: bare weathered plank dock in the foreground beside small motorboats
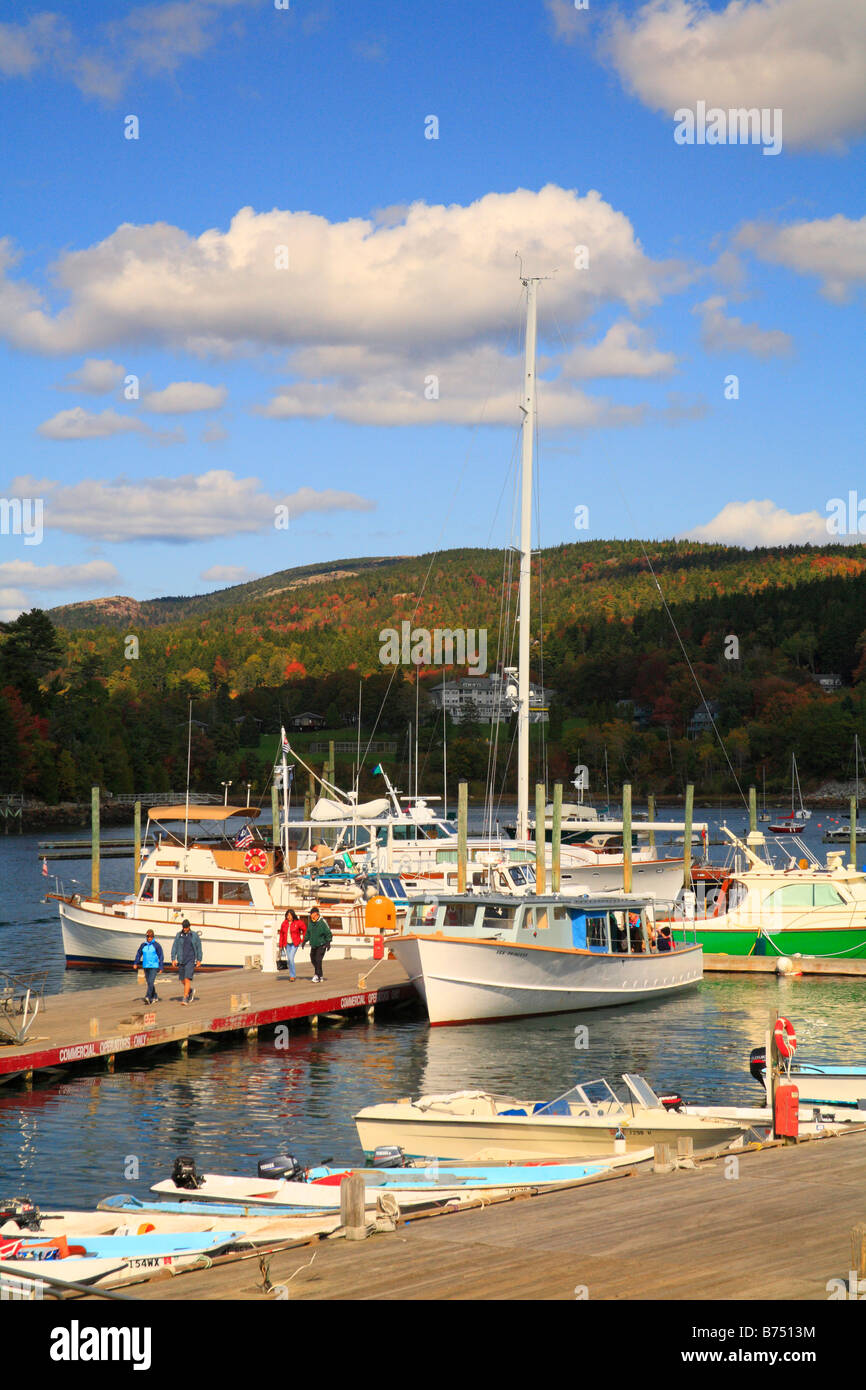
x=774, y=1227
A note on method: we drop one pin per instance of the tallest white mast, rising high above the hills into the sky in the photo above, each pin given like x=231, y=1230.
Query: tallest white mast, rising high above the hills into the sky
x=526, y=562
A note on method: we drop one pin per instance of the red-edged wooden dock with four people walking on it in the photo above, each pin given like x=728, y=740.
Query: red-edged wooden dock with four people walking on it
x=95, y=1028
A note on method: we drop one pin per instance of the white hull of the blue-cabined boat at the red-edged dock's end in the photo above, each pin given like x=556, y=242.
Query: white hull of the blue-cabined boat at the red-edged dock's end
x=483, y=982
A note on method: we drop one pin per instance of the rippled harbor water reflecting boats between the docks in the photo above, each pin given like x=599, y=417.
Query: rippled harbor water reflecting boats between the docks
x=92, y=1135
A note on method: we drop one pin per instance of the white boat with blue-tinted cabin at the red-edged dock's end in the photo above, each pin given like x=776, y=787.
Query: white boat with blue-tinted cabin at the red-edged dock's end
x=476, y=958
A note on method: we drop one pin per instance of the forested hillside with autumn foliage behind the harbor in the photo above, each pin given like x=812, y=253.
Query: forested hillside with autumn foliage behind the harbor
x=101, y=692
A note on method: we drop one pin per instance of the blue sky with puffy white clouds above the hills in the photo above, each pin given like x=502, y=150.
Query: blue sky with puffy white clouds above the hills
x=177, y=369
